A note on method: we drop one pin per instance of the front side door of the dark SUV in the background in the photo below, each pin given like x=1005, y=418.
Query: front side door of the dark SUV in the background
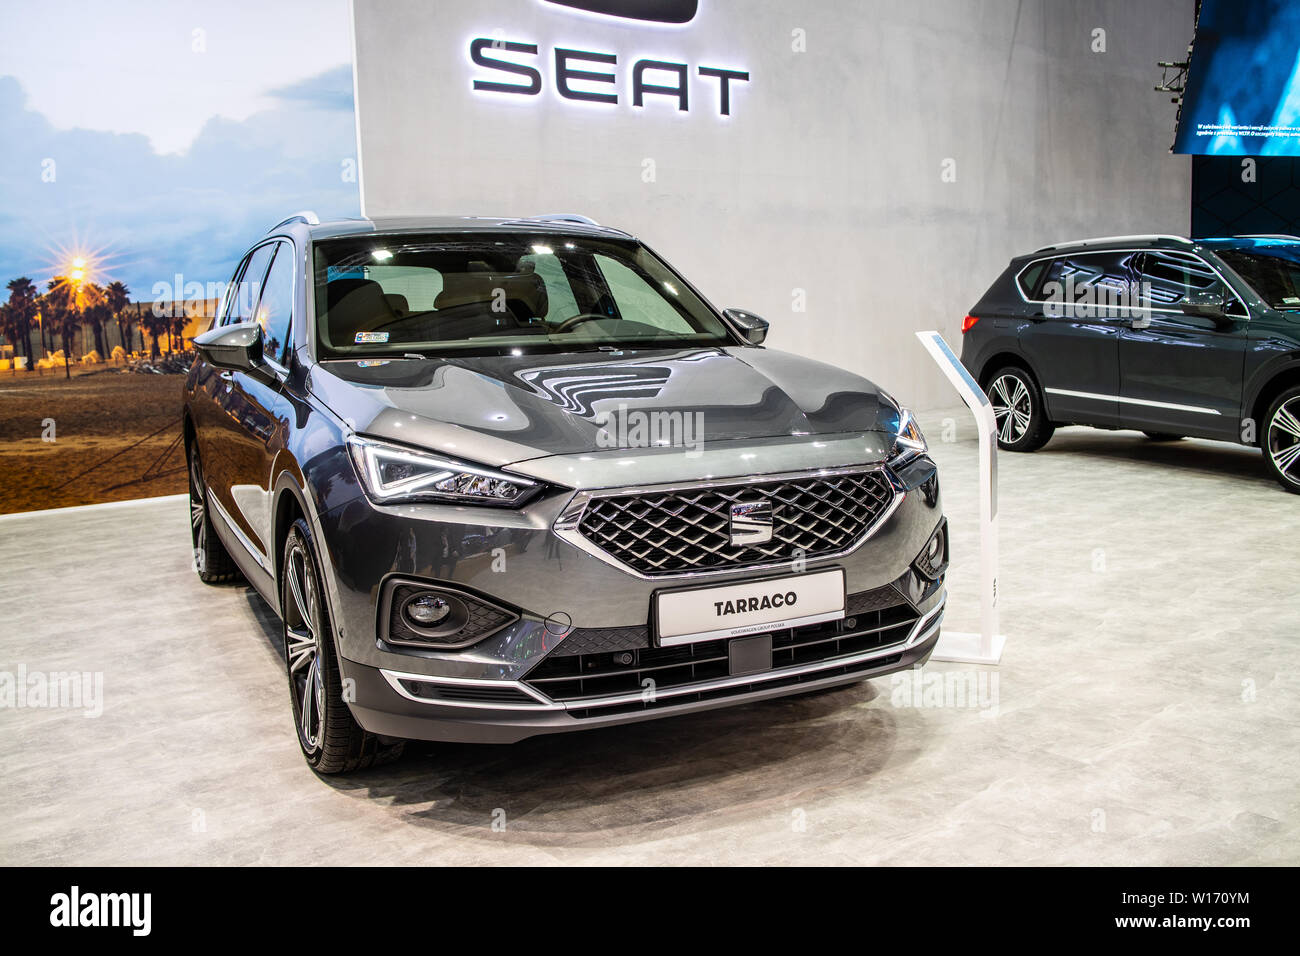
x=1180, y=369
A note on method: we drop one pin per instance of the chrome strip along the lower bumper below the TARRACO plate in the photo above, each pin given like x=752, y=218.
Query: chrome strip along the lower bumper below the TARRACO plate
x=925, y=628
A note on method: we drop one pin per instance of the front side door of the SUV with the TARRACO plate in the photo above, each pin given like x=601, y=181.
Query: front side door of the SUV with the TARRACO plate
x=259, y=408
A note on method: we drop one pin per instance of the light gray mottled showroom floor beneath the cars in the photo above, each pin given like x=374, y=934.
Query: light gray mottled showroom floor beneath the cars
x=1147, y=710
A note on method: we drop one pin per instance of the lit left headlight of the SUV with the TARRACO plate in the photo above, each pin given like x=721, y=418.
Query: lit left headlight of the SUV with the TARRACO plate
x=395, y=474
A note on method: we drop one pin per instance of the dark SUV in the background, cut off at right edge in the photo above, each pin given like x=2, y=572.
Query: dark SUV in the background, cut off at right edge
x=1159, y=334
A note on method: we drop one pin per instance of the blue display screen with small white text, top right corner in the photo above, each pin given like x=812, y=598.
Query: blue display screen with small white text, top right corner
x=1243, y=86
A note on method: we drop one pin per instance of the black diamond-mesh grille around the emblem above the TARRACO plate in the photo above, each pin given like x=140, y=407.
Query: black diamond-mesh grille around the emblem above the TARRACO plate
x=690, y=530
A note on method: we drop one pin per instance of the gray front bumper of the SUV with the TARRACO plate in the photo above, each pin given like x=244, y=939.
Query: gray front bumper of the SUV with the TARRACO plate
x=566, y=594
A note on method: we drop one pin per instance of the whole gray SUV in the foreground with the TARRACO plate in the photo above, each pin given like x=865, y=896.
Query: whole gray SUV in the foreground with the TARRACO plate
x=504, y=478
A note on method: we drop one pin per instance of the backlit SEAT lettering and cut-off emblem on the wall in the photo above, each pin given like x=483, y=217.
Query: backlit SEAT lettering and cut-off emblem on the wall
x=523, y=68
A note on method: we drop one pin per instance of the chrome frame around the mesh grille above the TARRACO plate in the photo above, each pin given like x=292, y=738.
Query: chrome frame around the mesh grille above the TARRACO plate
x=566, y=527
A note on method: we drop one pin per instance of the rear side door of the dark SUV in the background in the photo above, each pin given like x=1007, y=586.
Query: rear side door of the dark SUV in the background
x=1073, y=336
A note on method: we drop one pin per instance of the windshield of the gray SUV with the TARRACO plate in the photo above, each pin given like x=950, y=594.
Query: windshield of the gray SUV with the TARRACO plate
x=497, y=295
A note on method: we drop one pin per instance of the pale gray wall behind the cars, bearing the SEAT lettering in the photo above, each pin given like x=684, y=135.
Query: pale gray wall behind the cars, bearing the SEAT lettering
x=827, y=176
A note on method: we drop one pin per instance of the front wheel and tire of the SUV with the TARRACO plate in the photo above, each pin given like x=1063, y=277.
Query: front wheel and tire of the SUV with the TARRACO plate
x=331, y=738
